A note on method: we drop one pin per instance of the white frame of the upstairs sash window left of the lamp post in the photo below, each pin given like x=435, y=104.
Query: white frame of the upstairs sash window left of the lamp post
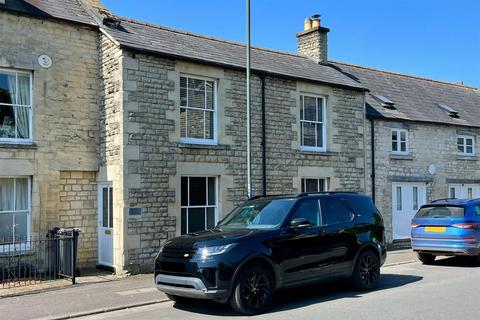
x=188, y=140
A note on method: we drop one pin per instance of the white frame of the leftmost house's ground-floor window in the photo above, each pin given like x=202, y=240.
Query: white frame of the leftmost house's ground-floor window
x=22, y=245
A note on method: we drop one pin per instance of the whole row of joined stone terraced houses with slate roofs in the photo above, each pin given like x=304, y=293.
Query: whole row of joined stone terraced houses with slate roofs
x=136, y=133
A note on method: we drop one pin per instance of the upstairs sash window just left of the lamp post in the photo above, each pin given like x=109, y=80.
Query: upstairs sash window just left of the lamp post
x=198, y=110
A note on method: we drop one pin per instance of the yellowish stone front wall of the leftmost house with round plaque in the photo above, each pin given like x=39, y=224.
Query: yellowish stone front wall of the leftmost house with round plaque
x=65, y=107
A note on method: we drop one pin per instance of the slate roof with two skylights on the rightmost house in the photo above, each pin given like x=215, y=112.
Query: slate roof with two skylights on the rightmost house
x=415, y=98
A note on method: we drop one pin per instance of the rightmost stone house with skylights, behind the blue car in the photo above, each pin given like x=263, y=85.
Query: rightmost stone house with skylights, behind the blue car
x=424, y=142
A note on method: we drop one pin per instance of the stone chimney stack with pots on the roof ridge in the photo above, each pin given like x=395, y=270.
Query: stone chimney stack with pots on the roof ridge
x=312, y=41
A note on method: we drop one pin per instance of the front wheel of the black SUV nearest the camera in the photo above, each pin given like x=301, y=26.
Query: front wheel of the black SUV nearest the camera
x=253, y=291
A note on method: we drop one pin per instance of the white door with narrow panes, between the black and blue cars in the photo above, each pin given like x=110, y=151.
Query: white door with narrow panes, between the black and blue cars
x=406, y=200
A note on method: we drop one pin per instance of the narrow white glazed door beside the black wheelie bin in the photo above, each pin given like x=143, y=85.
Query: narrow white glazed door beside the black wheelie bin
x=105, y=224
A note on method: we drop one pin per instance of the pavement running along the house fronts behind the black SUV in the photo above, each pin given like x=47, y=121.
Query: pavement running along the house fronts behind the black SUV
x=107, y=294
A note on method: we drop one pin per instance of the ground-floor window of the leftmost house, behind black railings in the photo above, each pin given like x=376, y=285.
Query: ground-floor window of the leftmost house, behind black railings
x=15, y=212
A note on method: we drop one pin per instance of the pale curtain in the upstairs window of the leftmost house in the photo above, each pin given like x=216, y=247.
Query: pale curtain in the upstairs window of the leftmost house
x=22, y=98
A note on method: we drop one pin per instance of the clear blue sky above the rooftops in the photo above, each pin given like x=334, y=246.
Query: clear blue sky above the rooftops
x=438, y=39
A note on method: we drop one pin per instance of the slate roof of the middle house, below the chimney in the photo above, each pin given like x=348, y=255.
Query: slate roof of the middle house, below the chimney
x=187, y=46
